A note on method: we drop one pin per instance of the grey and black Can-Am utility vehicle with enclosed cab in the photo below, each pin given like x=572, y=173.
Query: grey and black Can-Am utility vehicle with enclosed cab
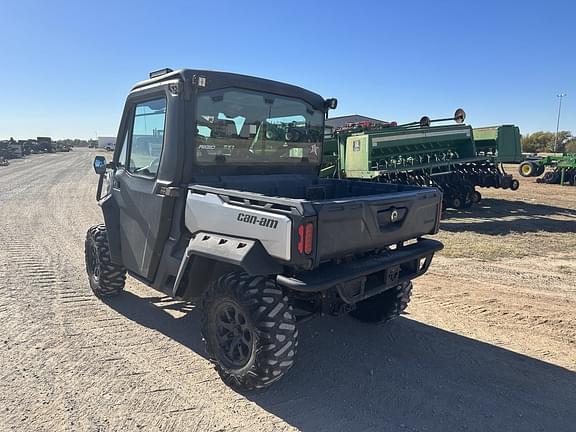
x=213, y=196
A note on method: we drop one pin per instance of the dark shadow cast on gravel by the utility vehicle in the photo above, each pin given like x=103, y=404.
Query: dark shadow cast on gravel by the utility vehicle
x=404, y=376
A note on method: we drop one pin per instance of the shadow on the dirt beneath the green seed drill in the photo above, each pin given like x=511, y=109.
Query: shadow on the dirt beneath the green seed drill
x=497, y=217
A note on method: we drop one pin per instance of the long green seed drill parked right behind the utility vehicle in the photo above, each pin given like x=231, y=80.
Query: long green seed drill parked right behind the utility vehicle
x=418, y=153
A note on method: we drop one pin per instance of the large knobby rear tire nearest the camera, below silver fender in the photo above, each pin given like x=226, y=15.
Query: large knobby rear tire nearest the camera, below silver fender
x=249, y=329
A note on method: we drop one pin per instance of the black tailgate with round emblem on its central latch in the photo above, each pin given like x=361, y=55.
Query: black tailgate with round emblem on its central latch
x=353, y=225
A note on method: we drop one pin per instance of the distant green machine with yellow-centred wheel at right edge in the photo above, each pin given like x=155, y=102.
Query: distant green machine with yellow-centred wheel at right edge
x=563, y=169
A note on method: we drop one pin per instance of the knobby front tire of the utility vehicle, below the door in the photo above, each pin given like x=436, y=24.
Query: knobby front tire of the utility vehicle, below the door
x=106, y=279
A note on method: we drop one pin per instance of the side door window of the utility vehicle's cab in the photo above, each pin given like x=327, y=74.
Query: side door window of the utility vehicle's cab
x=147, y=137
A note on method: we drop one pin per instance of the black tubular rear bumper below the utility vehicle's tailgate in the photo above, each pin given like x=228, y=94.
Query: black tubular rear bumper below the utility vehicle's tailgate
x=386, y=270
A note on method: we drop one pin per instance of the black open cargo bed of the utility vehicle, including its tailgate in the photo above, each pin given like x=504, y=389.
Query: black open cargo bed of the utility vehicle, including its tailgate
x=349, y=216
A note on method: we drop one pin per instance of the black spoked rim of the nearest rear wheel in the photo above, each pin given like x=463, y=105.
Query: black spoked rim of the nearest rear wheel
x=234, y=335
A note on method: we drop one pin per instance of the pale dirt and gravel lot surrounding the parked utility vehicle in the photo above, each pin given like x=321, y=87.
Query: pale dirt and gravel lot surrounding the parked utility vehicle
x=488, y=344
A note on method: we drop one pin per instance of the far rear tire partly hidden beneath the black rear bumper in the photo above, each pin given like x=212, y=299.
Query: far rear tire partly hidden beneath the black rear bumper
x=385, y=306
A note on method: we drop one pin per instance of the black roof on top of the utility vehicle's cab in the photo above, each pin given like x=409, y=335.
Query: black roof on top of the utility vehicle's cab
x=216, y=79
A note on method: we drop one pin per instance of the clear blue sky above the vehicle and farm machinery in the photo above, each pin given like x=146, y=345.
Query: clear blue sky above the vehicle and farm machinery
x=66, y=67
